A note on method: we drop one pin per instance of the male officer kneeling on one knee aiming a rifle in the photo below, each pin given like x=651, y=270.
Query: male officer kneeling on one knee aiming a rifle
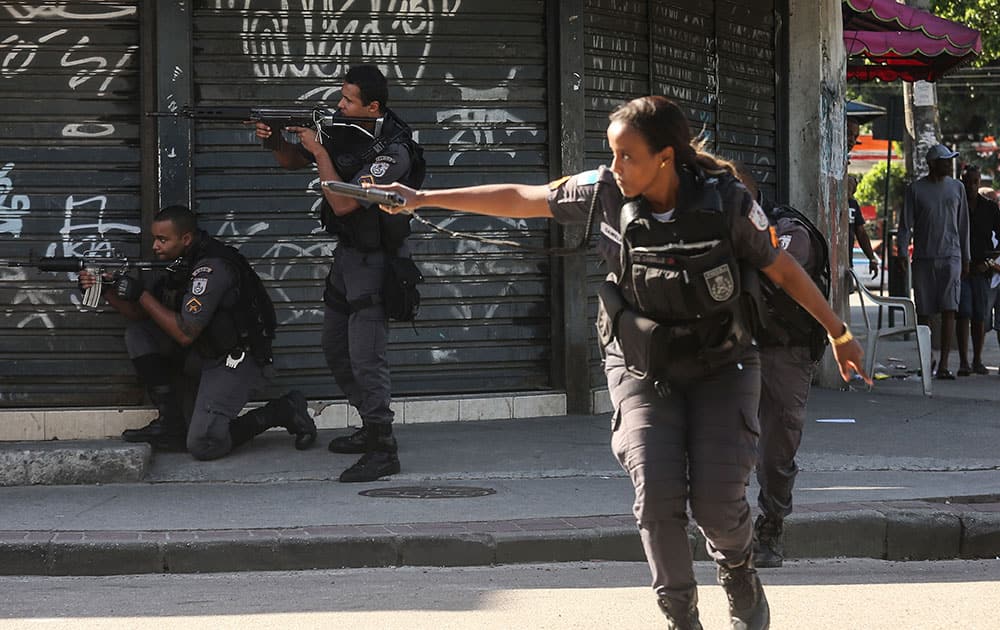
x=209, y=319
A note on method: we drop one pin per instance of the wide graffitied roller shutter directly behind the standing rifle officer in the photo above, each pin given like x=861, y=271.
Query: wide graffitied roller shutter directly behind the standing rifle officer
x=470, y=78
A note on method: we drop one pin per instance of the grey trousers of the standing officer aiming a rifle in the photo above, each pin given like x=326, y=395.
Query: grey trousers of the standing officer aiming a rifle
x=355, y=340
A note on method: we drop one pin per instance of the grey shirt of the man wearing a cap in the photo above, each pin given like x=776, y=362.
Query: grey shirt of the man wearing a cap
x=936, y=216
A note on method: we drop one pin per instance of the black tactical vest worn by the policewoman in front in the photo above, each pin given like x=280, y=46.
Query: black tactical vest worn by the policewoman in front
x=681, y=281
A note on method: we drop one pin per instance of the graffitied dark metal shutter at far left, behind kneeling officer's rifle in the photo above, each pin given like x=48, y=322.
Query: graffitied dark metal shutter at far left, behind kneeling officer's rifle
x=69, y=186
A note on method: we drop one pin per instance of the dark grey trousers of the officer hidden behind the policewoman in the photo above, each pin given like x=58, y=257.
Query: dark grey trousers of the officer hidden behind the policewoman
x=786, y=375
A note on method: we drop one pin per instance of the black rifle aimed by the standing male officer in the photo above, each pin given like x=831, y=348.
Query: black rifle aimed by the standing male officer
x=279, y=117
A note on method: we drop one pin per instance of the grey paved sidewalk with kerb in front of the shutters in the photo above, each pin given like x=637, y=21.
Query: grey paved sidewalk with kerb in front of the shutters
x=910, y=478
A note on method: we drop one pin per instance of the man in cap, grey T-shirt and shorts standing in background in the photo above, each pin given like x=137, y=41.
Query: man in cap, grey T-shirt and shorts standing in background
x=936, y=216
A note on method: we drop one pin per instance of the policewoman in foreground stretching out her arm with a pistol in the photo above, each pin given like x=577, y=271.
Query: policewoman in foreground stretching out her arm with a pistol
x=683, y=239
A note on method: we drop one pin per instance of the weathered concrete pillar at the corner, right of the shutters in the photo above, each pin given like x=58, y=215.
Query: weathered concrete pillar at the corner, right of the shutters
x=817, y=147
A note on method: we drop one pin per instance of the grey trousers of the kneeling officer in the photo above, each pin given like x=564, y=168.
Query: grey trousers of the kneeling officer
x=219, y=393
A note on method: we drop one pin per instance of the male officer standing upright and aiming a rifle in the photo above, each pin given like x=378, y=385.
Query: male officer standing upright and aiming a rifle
x=355, y=328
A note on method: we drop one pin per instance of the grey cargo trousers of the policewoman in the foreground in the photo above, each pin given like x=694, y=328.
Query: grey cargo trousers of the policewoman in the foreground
x=696, y=446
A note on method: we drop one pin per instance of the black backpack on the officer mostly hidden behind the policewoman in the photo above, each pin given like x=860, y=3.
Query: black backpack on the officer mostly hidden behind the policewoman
x=787, y=323
